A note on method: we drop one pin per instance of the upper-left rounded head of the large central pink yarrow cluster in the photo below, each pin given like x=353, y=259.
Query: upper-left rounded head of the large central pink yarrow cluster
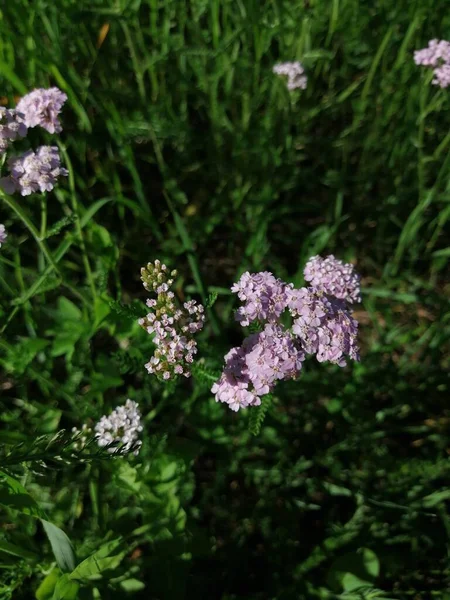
x=263, y=295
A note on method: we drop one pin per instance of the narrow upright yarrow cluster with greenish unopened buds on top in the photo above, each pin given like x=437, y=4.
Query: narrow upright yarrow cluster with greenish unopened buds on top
x=173, y=325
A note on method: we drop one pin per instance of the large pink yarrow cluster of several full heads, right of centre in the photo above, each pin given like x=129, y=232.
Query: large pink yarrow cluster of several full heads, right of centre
x=321, y=324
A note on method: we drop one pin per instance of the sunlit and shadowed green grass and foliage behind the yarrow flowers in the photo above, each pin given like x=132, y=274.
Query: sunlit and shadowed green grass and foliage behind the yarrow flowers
x=183, y=146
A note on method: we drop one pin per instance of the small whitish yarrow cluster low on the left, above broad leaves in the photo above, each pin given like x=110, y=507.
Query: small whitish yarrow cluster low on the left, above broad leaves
x=119, y=431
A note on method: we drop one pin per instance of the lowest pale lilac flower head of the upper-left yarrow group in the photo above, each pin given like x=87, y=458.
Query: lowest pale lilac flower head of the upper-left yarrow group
x=34, y=171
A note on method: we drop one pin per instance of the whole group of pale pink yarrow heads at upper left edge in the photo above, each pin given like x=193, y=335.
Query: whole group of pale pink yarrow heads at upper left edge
x=32, y=171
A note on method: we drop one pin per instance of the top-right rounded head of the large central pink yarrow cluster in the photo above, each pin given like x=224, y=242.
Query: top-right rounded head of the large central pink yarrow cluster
x=333, y=277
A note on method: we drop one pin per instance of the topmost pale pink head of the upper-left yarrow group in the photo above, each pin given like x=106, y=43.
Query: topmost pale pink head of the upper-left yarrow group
x=41, y=107
